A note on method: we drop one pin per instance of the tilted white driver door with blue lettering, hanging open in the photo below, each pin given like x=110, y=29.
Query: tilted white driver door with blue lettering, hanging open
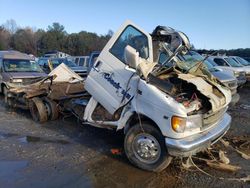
x=111, y=81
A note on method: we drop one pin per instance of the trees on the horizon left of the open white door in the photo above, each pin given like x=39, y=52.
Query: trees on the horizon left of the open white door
x=37, y=42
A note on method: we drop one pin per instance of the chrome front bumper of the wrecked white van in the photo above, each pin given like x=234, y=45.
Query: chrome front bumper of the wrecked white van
x=193, y=144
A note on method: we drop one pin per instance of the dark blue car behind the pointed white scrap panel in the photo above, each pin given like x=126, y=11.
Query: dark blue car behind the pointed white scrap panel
x=48, y=64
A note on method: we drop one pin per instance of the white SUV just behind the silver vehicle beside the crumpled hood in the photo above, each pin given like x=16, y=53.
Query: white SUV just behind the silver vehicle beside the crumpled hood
x=225, y=63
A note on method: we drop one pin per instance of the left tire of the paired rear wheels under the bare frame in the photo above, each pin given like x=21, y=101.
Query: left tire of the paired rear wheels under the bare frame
x=38, y=110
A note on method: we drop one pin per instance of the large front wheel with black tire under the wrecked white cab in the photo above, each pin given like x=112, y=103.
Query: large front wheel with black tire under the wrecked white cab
x=151, y=136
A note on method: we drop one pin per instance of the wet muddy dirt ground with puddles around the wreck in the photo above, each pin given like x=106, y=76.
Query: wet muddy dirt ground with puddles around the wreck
x=64, y=153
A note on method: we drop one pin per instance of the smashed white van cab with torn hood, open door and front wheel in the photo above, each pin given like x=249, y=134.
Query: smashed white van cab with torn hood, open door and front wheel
x=164, y=111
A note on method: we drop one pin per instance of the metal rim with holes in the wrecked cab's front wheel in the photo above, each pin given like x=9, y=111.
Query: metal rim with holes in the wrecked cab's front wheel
x=146, y=148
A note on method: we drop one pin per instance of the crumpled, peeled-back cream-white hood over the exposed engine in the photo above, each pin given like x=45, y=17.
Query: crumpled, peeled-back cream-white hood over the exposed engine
x=218, y=96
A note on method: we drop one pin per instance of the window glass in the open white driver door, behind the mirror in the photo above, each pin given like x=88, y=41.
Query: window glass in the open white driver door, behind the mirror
x=135, y=39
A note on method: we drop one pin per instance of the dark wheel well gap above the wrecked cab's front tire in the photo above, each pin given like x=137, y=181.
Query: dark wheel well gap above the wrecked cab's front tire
x=135, y=119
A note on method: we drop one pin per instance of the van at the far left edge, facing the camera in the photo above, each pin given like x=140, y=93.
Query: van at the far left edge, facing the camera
x=16, y=69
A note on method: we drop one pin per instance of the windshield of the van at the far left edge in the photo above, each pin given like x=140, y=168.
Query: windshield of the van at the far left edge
x=20, y=65
